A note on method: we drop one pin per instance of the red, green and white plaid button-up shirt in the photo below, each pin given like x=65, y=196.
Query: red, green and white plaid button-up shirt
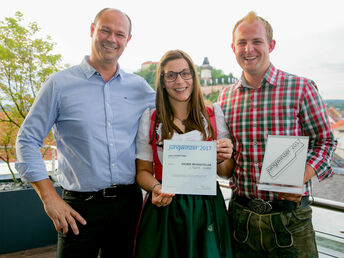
x=284, y=104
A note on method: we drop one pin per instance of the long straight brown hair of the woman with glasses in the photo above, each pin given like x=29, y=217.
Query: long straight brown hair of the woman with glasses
x=196, y=106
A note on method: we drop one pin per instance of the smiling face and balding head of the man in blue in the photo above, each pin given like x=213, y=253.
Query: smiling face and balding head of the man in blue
x=110, y=36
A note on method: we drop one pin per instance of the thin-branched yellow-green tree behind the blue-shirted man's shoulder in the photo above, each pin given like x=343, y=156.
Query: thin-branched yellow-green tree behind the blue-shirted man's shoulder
x=26, y=60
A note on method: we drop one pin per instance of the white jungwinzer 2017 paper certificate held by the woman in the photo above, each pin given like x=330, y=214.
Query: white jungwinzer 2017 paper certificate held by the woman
x=189, y=167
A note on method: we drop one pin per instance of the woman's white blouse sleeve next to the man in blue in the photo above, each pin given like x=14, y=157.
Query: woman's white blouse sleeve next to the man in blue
x=143, y=148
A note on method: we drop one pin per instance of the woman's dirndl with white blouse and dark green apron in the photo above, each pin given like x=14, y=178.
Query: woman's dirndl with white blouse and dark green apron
x=191, y=225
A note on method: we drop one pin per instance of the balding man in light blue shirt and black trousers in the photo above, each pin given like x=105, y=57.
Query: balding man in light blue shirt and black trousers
x=93, y=109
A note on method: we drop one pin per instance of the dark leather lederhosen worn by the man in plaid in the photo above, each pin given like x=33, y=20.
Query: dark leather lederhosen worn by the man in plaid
x=282, y=234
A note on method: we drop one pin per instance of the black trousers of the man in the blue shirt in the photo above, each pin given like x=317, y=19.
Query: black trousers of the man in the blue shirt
x=110, y=229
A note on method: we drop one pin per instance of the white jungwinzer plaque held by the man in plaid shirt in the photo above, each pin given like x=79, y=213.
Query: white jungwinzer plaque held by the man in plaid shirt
x=284, y=164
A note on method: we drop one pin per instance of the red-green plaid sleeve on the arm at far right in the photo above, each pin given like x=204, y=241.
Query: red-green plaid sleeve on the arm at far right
x=315, y=123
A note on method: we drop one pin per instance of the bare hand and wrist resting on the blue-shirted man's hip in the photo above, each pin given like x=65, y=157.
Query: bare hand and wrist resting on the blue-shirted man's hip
x=58, y=210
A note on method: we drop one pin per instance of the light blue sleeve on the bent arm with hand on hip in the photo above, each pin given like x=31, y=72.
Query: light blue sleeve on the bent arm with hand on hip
x=32, y=133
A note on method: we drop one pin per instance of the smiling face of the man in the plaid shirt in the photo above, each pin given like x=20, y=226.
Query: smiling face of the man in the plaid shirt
x=252, y=49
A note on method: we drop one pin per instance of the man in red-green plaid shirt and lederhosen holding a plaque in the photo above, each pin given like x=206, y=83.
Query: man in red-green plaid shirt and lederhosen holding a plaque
x=267, y=101
